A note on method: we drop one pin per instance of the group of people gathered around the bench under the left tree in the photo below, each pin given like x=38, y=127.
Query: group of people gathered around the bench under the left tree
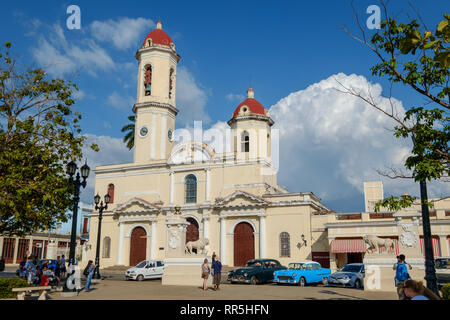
x=37, y=272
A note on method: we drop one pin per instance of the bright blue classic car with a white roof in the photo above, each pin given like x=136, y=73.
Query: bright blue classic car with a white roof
x=302, y=273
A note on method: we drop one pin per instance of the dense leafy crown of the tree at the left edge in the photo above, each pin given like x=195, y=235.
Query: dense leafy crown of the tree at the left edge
x=39, y=134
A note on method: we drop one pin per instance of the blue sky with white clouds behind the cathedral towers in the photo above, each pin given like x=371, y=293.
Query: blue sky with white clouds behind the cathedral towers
x=278, y=48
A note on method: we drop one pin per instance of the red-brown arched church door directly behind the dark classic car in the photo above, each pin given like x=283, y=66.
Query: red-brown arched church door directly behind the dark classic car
x=244, y=243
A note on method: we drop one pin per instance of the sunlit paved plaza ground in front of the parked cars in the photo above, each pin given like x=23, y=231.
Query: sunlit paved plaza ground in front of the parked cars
x=113, y=289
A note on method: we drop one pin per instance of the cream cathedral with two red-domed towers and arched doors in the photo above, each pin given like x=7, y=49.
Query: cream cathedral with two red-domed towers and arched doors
x=231, y=198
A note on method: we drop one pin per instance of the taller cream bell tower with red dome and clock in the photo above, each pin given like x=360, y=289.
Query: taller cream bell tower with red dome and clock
x=155, y=106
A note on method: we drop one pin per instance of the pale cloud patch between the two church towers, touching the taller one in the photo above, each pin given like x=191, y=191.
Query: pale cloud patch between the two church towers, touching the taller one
x=191, y=99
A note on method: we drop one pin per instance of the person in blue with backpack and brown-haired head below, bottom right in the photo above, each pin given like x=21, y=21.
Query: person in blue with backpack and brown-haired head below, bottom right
x=407, y=288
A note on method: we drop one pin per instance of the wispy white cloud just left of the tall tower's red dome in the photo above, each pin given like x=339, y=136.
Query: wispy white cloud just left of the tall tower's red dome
x=123, y=33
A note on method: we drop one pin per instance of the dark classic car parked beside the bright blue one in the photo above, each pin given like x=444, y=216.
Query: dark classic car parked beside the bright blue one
x=255, y=271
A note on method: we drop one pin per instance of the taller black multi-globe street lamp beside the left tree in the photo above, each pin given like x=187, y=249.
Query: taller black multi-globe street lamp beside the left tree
x=77, y=183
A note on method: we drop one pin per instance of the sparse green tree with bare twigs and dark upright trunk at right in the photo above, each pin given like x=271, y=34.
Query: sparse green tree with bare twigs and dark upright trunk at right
x=419, y=58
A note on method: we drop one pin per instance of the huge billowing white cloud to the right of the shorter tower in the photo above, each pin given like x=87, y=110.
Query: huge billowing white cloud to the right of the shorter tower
x=331, y=142
